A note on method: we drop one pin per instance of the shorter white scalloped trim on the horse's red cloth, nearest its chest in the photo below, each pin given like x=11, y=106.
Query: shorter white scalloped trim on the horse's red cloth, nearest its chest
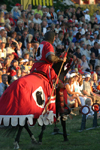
x=46, y=119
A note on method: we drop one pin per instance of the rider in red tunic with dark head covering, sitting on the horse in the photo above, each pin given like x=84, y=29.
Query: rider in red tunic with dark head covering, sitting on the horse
x=45, y=58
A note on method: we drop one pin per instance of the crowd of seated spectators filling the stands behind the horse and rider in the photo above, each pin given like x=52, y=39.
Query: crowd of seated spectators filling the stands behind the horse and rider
x=21, y=32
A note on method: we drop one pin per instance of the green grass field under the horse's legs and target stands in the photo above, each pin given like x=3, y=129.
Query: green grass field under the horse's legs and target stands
x=86, y=140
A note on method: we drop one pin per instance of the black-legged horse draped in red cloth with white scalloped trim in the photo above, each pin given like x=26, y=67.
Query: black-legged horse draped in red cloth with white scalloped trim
x=20, y=99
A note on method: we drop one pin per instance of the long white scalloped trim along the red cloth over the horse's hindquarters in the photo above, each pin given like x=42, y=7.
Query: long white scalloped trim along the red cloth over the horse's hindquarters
x=15, y=120
